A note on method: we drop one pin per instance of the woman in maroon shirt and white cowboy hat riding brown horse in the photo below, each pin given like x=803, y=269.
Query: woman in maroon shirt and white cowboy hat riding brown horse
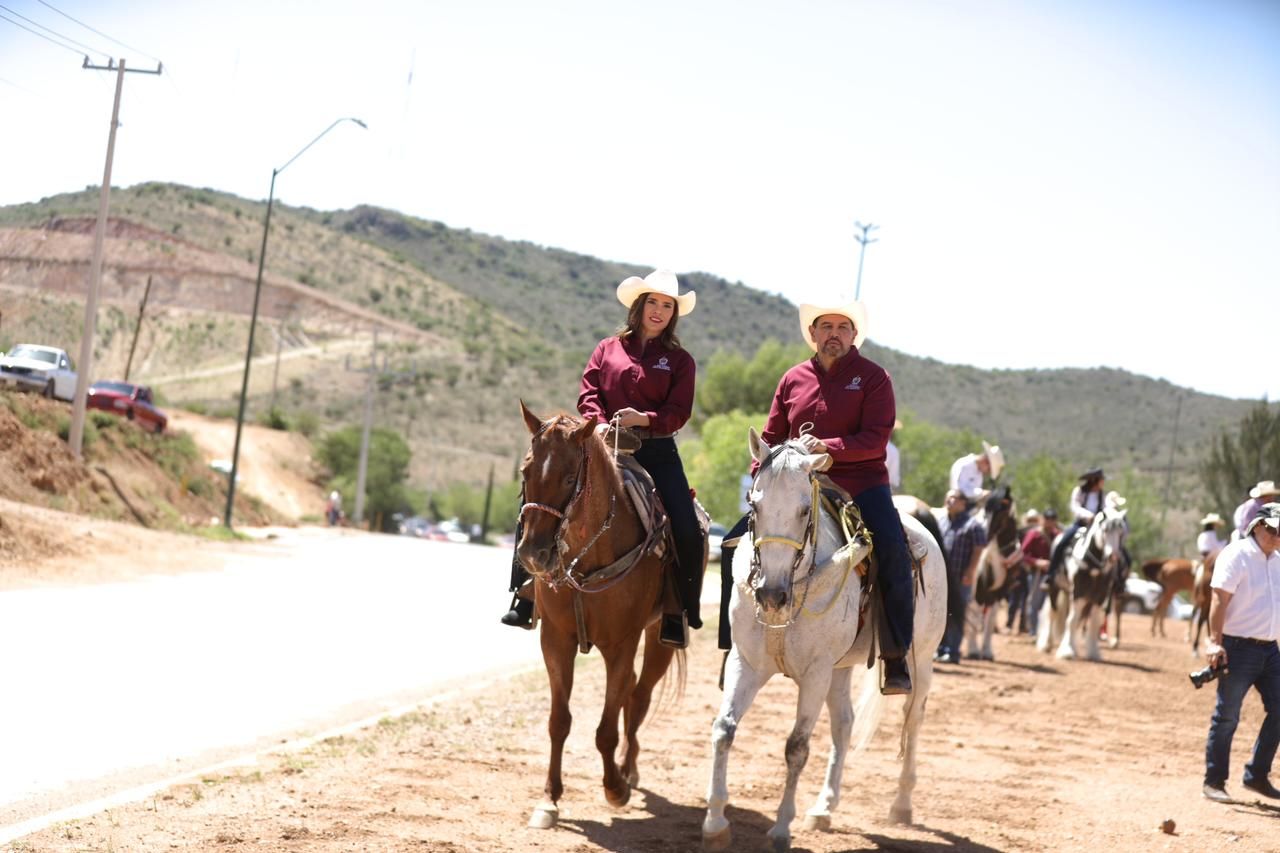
x=643, y=380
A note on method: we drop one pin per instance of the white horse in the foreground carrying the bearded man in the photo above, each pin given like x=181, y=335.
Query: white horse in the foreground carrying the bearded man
x=796, y=610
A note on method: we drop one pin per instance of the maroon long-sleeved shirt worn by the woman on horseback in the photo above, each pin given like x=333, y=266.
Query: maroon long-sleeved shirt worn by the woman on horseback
x=657, y=381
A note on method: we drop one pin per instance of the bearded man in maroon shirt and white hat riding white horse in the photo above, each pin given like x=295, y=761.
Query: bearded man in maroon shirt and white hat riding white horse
x=842, y=404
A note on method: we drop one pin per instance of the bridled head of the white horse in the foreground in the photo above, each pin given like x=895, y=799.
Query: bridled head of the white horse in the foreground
x=785, y=521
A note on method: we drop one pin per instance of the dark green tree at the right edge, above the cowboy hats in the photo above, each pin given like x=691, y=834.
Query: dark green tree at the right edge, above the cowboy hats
x=1236, y=462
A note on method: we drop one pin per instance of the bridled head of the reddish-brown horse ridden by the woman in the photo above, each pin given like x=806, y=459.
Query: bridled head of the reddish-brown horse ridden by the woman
x=555, y=476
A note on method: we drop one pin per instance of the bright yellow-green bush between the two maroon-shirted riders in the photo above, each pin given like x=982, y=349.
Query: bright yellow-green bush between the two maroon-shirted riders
x=717, y=463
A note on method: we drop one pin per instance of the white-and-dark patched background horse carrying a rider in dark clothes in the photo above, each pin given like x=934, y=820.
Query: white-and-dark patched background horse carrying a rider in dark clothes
x=1076, y=606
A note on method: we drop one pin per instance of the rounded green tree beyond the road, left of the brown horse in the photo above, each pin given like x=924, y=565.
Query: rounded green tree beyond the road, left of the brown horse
x=386, y=475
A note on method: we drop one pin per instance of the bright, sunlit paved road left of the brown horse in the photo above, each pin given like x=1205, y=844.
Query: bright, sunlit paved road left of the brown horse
x=113, y=686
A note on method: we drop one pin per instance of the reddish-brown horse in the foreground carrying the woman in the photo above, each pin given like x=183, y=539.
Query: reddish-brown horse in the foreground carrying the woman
x=598, y=582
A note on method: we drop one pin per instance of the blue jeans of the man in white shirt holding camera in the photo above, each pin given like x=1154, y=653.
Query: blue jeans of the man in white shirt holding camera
x=1249, y=665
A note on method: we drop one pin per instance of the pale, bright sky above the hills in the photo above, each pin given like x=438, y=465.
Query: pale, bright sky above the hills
x=1085, y=184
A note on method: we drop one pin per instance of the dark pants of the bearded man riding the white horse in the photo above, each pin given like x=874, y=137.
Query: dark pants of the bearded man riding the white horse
x=895, y=572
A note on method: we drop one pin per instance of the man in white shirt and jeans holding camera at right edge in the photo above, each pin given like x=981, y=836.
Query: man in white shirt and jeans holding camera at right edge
x=1244, y=628
